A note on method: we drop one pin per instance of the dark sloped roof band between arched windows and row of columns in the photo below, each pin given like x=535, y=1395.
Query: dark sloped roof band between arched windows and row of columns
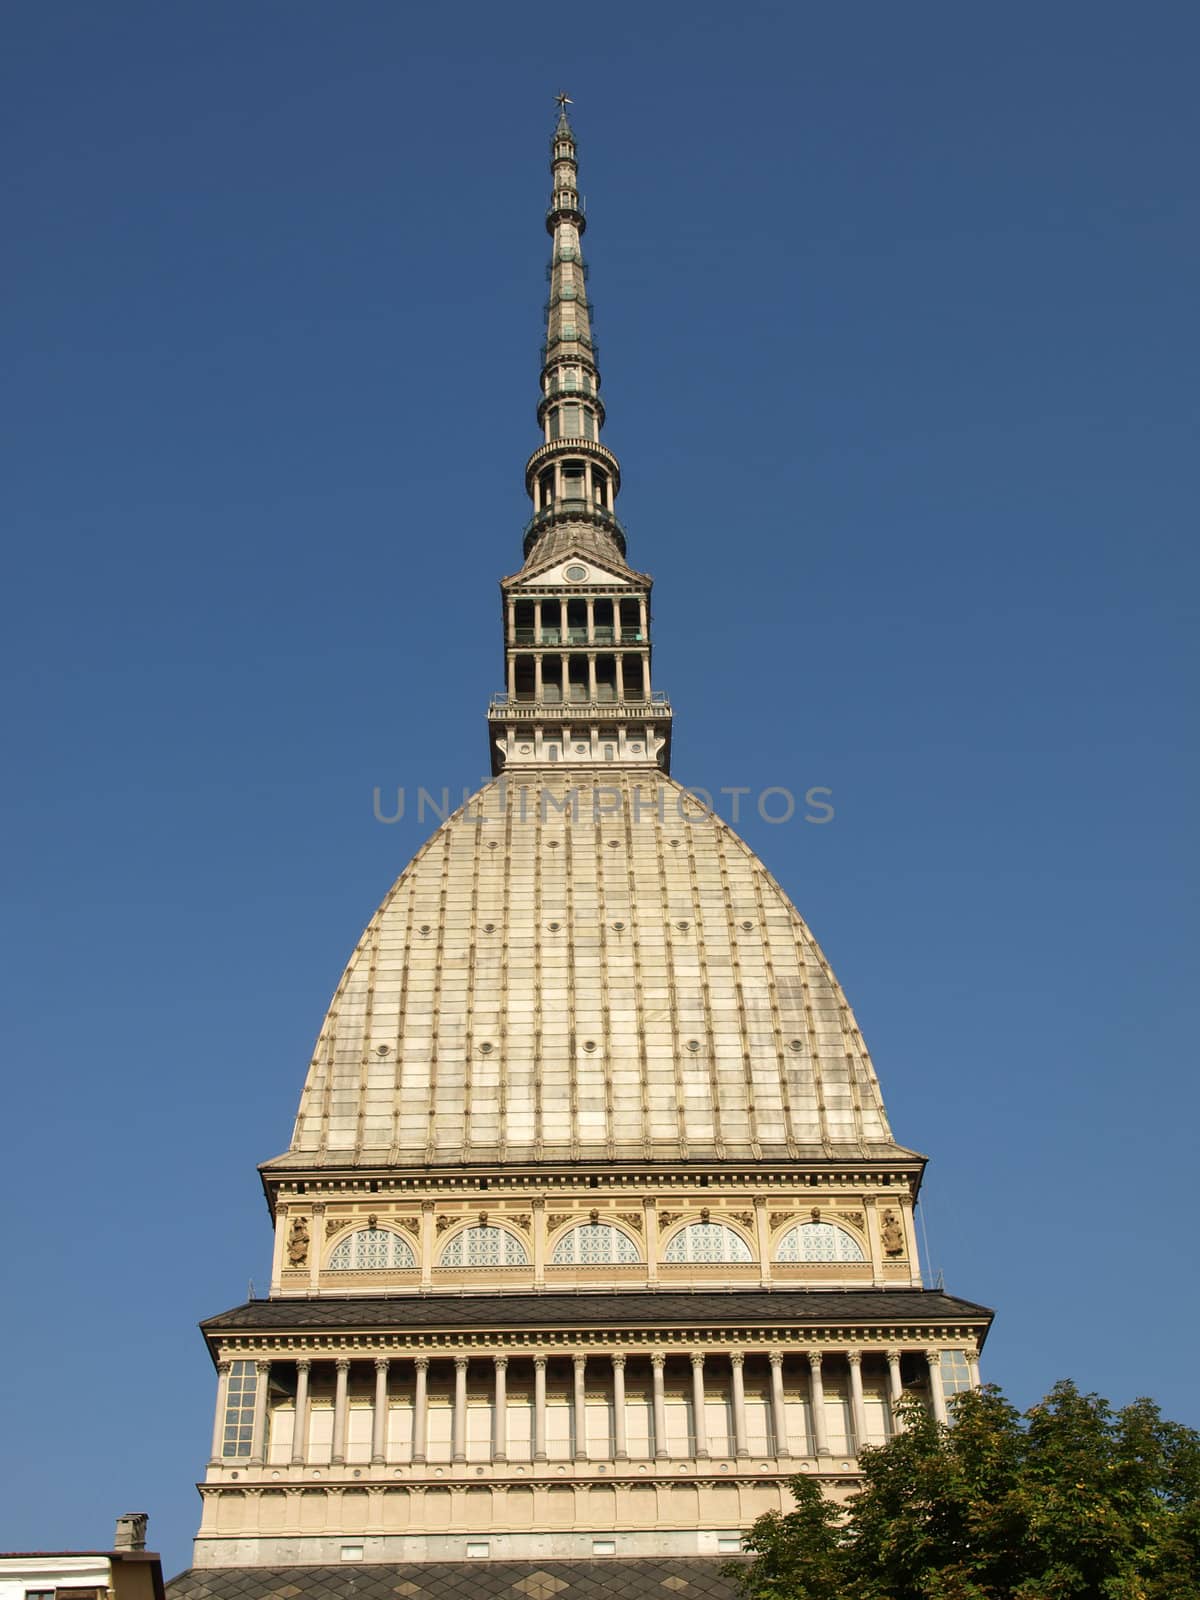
x=625, y=1310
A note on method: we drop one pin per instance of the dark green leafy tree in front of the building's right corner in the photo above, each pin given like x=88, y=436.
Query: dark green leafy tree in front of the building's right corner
x=1071, y=1502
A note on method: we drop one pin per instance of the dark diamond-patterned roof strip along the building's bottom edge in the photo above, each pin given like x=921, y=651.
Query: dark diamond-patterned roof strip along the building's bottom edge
x=652, y=1578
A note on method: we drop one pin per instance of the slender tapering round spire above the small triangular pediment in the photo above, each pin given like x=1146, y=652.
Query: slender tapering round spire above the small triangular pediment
x=572, y=479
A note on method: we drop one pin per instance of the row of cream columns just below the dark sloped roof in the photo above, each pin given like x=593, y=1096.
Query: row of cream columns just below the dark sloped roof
x=702, y=1366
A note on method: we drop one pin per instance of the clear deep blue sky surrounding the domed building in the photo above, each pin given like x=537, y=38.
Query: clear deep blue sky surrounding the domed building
x=900, y=340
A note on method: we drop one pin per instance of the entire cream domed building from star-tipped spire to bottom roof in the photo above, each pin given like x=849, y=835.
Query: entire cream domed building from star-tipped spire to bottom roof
x=593, y=1231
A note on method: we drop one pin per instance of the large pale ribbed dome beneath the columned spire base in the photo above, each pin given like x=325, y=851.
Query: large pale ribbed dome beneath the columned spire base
x=612, y=975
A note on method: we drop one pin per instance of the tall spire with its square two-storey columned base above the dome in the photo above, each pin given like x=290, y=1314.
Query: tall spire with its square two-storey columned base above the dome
x=577, y=618
